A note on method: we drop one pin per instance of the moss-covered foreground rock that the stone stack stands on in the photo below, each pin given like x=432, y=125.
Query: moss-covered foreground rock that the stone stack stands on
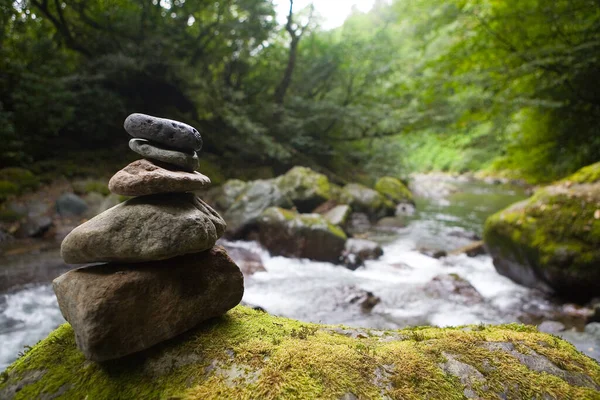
x=248, y=354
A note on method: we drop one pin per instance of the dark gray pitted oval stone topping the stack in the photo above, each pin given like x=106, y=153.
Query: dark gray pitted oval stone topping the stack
x=169, y=133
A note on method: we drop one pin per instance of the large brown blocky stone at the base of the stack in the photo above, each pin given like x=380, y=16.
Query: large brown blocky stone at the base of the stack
x=119, y=309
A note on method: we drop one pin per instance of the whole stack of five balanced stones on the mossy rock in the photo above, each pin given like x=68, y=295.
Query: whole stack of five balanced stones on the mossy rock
x=161, y=273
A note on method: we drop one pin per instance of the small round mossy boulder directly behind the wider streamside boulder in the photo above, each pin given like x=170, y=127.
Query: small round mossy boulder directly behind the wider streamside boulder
x=306, y=188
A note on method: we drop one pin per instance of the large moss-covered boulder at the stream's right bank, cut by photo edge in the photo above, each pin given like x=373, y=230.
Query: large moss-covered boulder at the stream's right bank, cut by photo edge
x=552, y=240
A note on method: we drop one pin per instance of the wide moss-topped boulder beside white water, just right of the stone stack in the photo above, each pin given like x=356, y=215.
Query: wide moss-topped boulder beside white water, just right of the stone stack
x=287, y=233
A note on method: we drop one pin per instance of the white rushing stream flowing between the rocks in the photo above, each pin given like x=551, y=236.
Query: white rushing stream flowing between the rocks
x=449, y=215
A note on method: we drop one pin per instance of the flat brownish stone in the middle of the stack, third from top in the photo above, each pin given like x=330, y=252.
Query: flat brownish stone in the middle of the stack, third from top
x=143, y=177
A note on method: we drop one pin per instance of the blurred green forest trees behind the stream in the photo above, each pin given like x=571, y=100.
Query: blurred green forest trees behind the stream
x=508, y=87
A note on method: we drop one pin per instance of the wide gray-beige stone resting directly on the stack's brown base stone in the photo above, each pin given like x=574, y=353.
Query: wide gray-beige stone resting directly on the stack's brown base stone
x=144, y=229
